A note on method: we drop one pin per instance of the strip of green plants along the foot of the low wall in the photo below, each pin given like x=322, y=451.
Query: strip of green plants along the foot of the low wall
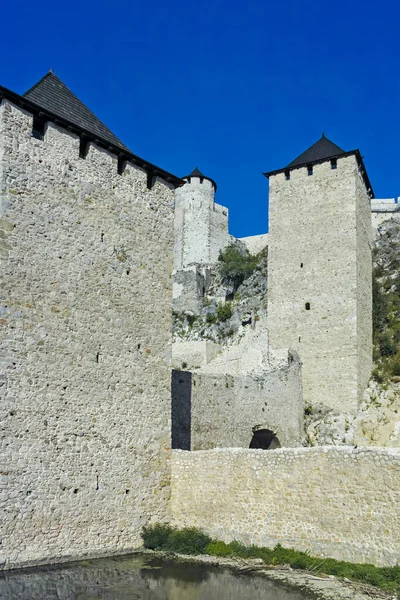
x=194, y=541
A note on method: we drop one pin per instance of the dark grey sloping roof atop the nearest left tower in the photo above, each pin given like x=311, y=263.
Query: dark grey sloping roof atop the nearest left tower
x=53, y=95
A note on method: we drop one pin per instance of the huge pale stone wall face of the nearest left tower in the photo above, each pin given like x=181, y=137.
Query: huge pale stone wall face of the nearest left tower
x=86, y=320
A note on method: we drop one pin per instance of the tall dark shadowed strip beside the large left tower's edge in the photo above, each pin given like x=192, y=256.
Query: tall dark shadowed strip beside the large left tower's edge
x=181, y=409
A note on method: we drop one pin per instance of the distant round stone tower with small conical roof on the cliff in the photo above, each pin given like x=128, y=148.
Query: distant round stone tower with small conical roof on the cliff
x=201, y=231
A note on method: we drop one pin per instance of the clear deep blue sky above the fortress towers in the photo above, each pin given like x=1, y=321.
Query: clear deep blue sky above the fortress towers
x=236, y=88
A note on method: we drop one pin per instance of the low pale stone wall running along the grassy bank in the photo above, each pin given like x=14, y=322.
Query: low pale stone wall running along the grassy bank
x=339, y=502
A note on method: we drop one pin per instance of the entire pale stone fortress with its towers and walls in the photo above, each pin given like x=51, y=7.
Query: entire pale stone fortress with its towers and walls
x=107, y=422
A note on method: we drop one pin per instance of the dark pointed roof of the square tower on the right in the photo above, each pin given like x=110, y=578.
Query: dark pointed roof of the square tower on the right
x=321, y=151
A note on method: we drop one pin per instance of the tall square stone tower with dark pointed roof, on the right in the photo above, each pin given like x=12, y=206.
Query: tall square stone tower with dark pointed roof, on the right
x=320, y=280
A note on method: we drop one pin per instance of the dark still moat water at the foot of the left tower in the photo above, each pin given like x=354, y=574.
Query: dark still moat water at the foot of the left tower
x=139, y=577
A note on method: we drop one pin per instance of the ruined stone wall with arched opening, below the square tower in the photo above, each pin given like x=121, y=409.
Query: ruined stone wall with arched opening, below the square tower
x=221, y=410
